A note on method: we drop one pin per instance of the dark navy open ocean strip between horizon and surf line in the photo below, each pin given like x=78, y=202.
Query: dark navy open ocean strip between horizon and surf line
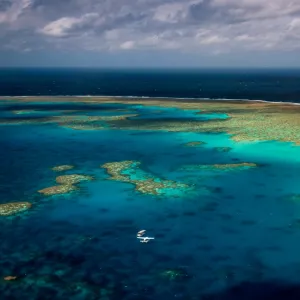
x=263, y=84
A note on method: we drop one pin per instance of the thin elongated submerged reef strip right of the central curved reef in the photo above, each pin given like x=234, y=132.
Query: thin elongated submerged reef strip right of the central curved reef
x=220, y=167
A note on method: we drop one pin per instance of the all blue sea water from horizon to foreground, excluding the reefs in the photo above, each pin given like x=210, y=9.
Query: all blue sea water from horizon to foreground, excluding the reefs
x=218, y=233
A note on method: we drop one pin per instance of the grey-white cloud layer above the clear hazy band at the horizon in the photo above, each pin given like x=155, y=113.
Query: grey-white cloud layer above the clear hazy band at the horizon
x=210, y=26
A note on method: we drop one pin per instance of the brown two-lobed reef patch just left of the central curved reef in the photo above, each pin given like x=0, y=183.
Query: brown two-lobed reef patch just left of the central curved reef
x=66, y=184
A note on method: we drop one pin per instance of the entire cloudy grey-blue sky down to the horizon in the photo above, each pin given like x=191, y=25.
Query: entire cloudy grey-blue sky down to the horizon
x=150, y=33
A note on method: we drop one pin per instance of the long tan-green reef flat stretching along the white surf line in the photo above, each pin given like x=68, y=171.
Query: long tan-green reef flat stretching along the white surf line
x=247, y=120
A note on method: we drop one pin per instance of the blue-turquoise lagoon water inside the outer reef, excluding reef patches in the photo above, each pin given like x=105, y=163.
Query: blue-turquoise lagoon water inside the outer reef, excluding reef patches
x=230, y=227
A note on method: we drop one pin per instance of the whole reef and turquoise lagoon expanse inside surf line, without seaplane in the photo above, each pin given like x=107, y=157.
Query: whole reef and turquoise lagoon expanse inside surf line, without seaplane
x=215, y=183
